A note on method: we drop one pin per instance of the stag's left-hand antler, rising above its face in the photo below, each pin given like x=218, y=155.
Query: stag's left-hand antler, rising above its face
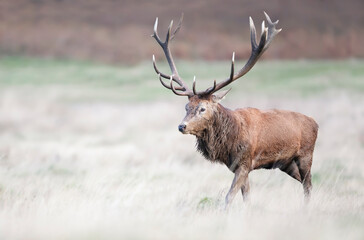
x=183, y=88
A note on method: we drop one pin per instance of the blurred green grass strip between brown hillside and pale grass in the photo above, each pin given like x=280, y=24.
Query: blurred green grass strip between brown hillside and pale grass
x=139, y=82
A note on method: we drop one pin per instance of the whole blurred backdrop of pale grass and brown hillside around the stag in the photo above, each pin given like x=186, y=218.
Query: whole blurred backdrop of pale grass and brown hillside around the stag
x=89, y=146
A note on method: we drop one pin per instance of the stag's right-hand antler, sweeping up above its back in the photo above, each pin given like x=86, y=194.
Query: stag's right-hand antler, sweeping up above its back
x=257, y=51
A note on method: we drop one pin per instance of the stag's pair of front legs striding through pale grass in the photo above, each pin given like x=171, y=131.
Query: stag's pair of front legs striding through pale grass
x=240, y=182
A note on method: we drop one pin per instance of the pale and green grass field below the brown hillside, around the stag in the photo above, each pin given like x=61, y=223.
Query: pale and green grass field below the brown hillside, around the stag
x=91, y=151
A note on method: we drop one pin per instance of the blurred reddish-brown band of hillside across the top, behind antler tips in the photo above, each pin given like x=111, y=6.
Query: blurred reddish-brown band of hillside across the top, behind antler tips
x=114, y=31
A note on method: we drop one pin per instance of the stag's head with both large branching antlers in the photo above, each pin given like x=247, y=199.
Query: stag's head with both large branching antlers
x=202, y=106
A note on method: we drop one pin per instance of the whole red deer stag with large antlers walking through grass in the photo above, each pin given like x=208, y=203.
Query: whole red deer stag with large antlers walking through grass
x=245, y=139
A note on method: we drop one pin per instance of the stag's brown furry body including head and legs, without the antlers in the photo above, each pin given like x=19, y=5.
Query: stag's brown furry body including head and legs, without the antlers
x=248, y=139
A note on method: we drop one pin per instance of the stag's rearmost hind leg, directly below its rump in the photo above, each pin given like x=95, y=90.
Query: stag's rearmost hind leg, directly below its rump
x=304, y=164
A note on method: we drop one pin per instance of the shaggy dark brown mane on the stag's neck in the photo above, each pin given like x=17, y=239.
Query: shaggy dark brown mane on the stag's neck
x=218, y=138
